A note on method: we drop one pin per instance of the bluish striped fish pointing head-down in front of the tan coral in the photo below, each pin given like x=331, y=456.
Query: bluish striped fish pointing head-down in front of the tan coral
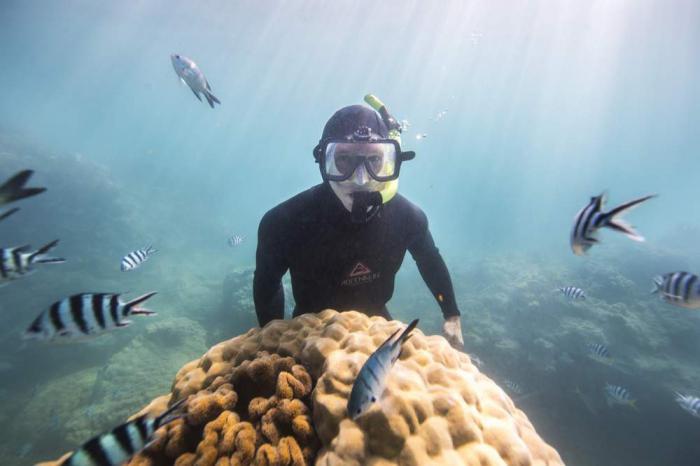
x=371, y=380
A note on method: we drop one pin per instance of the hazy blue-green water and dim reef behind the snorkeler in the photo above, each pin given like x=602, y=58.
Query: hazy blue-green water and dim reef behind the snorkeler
x=519, y=113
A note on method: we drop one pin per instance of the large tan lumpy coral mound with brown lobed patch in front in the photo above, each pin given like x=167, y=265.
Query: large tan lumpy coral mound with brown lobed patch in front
x=251, y=402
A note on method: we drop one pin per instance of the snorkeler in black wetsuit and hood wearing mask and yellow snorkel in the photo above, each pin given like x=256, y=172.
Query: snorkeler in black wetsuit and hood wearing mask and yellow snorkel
x=344, y=240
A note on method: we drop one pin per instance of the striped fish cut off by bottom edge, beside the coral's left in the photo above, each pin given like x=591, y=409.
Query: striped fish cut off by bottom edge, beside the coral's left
x=124, y=441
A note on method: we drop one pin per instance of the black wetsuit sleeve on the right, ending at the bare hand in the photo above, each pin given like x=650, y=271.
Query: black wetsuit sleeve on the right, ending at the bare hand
x=432, y=268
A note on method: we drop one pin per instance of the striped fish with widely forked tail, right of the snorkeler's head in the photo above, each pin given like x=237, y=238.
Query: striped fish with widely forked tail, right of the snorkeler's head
x=591, y=218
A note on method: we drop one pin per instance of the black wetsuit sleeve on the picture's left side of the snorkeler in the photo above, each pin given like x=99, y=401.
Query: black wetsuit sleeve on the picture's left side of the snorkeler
x=270, y=267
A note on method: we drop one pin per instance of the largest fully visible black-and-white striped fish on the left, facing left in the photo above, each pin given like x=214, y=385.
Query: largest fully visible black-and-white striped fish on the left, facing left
x=84, y=315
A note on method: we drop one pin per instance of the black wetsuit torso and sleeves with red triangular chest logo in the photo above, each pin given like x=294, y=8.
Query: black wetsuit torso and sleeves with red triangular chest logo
x=341, y=265
